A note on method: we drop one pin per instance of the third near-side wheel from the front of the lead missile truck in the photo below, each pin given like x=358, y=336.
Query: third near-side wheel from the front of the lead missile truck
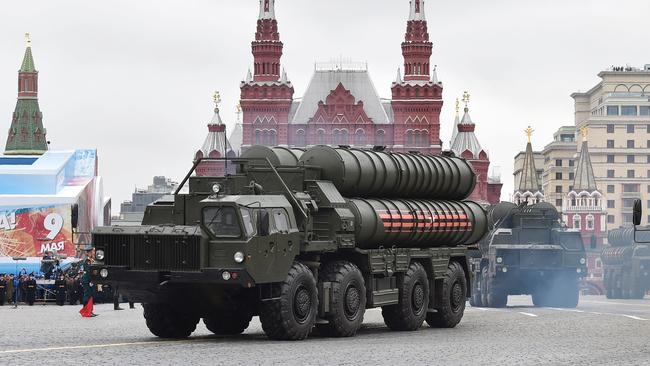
x=410, y=312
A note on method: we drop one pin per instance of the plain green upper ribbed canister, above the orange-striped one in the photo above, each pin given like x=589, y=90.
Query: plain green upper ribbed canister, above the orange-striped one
x=367, y=173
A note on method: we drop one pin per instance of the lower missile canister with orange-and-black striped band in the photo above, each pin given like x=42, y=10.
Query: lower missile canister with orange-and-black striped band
x=416, y=223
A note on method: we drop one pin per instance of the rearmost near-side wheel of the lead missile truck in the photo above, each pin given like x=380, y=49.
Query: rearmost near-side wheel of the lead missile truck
x=452, y=303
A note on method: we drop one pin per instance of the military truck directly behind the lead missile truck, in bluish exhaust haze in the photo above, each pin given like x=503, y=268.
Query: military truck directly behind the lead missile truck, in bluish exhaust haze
x=527, y=251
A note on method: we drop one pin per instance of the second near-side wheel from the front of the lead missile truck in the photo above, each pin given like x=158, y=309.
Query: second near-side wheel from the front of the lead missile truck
x=348, y=299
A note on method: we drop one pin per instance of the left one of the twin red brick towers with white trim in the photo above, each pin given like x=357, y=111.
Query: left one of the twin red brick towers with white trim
x=266, y=94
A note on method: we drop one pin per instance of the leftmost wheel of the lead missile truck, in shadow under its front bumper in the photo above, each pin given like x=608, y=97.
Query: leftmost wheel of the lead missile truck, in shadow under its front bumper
x=165, y=321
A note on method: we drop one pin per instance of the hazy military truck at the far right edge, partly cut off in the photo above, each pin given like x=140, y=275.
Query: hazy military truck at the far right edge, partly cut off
x=626, y=264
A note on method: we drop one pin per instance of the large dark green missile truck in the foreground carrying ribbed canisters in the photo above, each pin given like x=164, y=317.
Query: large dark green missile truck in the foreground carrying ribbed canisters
x=302, y=239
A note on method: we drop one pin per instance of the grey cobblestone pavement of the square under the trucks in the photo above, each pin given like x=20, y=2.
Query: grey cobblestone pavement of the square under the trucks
x=599, y=331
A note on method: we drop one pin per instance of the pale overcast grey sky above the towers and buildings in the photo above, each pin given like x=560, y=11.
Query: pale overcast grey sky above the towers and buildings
x=134, y=79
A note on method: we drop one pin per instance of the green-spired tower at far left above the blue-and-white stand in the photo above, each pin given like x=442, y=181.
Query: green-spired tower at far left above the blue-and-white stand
x=26, y=135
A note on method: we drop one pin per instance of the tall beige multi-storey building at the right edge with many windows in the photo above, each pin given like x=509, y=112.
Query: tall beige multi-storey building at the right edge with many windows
x=617, y=114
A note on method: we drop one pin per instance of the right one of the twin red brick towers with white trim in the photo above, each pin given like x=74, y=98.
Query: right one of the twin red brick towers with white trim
x=417, y=98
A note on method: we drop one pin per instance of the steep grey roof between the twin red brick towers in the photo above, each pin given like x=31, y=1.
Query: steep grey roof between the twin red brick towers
x=357, y=81
